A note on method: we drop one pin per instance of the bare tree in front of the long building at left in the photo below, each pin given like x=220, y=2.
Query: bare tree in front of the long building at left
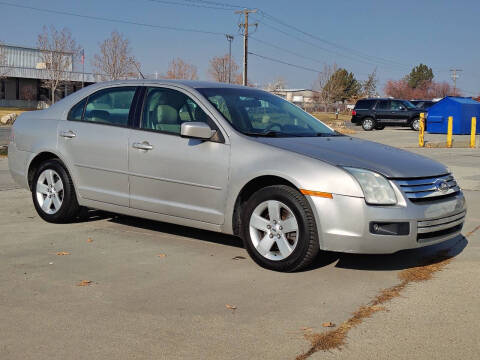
x=57, y=52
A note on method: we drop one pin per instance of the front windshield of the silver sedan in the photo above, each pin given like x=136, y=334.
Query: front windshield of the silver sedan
x=259, y=113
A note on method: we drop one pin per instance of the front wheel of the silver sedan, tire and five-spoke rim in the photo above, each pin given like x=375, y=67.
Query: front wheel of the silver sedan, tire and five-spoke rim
x=279, y=230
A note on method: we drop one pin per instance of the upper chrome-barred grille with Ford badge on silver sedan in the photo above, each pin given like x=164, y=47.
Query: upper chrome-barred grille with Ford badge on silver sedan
x=429, y=189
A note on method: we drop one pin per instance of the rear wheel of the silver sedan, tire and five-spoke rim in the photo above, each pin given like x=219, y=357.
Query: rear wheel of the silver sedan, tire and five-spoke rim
x=53, y=193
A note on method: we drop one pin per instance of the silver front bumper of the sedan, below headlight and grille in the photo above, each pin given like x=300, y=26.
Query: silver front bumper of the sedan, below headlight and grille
x=344, y=223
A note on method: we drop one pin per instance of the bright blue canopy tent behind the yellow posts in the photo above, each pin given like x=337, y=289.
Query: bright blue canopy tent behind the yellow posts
x=461, y=108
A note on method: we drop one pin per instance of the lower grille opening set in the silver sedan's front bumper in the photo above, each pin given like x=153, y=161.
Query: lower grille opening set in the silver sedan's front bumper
x=432, y=228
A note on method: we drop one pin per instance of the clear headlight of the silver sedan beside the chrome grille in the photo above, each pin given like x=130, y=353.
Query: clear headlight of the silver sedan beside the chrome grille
x=376, y=188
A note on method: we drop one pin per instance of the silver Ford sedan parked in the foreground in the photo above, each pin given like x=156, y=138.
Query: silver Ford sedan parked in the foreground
x=235, y=160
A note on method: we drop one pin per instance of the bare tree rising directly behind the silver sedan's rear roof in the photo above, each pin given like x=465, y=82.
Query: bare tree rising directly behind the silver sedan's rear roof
x=115, y=60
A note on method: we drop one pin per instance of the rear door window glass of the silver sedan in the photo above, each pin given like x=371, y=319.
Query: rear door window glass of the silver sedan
x=110, y=106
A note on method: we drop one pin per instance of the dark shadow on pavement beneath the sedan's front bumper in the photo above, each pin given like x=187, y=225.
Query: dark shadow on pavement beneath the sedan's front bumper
x=403, y=259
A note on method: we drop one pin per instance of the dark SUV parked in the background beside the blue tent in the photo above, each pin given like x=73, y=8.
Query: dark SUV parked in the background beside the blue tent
x=378, y=113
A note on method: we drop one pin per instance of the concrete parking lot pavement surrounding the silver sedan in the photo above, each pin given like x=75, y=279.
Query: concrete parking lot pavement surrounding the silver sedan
x=159, y=291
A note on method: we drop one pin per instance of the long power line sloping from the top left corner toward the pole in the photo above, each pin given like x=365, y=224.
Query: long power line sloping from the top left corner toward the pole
x=128, y=22
